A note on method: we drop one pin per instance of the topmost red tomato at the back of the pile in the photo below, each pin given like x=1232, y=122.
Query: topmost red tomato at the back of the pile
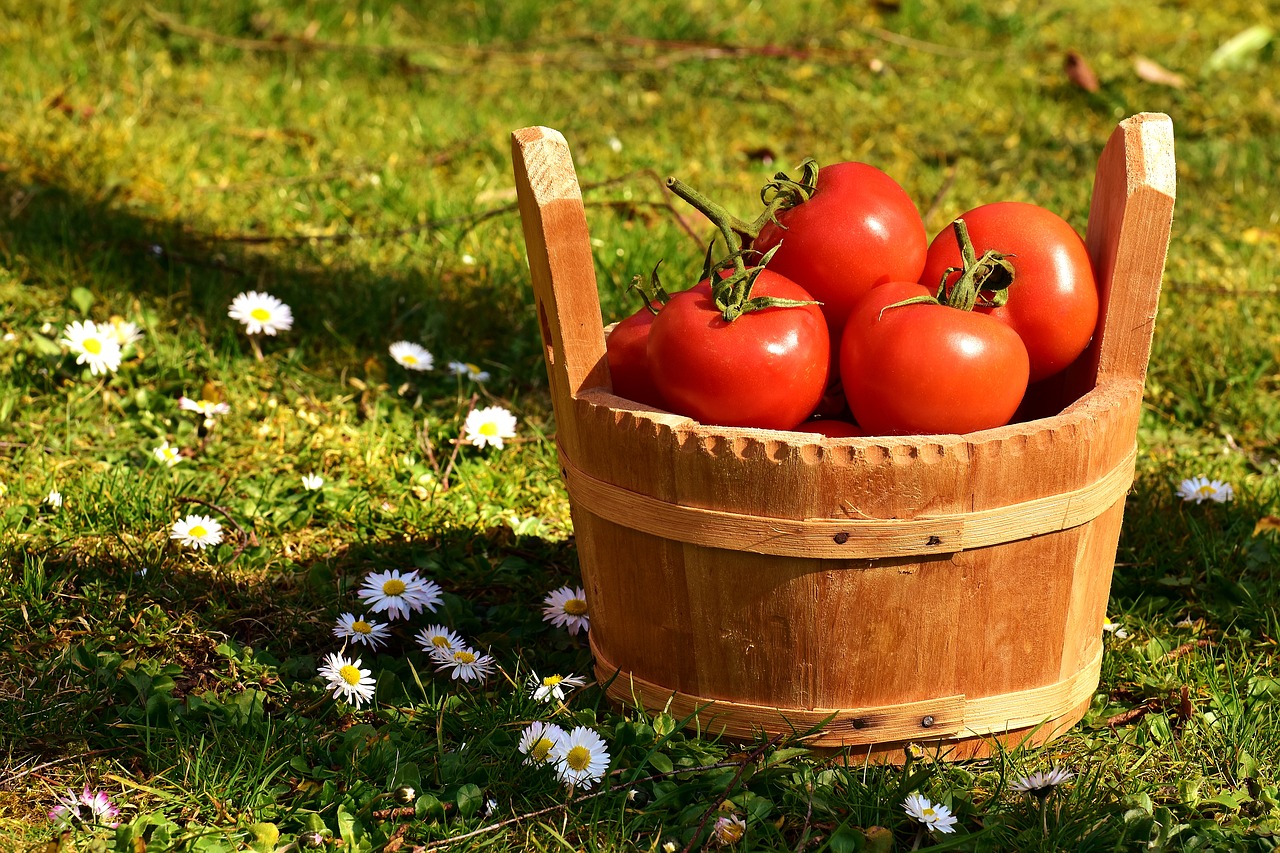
x=858, y=230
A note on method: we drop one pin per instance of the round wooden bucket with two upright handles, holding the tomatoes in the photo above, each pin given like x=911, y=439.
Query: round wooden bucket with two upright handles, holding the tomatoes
x=936, y=590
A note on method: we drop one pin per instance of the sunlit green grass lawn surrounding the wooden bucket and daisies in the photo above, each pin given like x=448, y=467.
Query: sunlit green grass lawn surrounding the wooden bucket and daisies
x=354, y=162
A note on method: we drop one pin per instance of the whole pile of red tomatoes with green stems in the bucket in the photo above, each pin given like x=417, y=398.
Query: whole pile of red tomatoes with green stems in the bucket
x=833, y=313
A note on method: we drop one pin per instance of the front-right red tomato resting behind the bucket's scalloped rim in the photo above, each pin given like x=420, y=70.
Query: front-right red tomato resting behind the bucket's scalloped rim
x=929, y=370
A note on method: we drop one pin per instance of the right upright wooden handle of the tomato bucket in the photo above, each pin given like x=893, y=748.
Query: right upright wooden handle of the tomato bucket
x=1128, y=238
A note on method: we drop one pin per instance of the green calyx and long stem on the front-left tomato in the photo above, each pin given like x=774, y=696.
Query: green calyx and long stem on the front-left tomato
x=732, y=280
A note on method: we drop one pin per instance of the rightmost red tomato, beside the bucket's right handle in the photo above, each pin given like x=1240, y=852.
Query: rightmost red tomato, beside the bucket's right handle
x=1054, y=300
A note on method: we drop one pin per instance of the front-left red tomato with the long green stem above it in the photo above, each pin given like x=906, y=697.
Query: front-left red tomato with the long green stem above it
x=767, y=368
